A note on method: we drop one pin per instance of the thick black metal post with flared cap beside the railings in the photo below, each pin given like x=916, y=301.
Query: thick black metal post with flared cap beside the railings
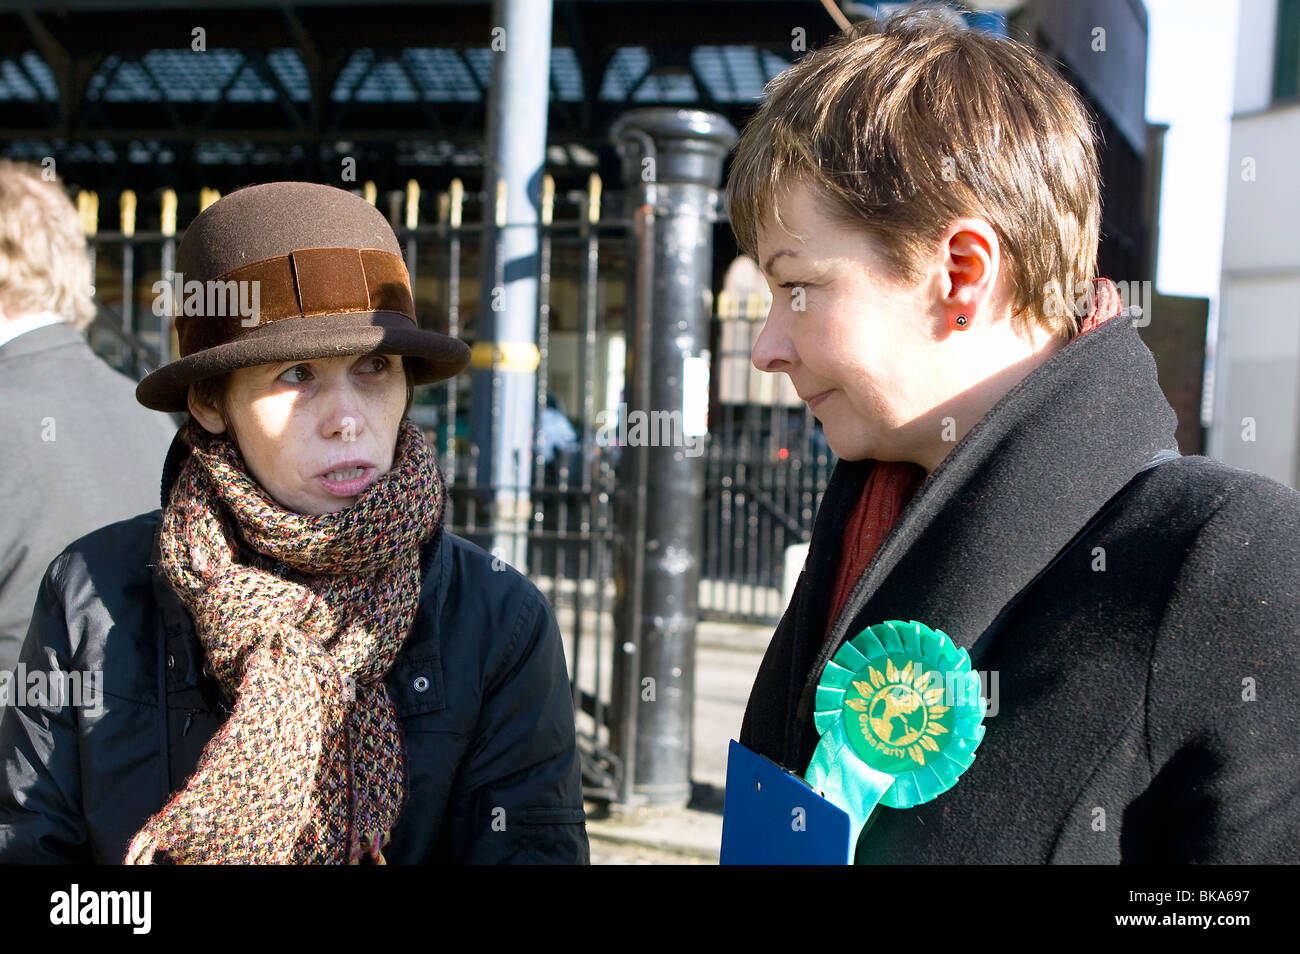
x=673, y=162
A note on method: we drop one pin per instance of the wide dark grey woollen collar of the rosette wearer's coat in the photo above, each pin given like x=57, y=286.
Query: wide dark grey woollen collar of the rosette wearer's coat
x=1022, y=483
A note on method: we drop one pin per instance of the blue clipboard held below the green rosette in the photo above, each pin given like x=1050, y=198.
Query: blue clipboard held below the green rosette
x=772, y=817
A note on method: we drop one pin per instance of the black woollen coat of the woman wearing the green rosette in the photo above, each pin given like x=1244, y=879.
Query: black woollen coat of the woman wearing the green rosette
x=1149, y=684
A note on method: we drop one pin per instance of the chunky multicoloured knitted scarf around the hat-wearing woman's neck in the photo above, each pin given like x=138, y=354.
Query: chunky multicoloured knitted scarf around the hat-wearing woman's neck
x=309, y=769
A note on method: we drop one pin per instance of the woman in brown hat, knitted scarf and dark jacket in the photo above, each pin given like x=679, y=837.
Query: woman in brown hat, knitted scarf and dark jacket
x=341, y=679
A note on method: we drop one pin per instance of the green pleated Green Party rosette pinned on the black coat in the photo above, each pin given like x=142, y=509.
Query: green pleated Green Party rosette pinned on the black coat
x=900, y=714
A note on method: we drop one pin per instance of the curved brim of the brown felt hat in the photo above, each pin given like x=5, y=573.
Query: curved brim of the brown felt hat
x=434, y=357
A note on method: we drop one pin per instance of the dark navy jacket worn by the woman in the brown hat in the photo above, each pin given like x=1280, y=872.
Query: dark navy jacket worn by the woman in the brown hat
x=480, y=688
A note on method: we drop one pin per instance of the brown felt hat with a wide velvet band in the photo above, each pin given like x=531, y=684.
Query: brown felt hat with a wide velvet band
x=285, y=272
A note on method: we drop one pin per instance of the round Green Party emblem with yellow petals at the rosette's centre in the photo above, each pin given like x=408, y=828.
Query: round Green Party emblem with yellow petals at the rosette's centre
x=898, y=713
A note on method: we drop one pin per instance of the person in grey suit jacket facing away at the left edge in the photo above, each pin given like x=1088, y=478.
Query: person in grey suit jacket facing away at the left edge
x=79, y=450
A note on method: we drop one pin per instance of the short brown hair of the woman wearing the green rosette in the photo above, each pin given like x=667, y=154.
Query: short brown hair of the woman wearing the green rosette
x=905, y=125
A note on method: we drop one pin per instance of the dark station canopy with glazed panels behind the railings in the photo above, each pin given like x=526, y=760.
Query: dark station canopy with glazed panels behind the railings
x=159, y=93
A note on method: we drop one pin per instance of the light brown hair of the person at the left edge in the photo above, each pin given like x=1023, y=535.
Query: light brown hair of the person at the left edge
x=44, y=262
